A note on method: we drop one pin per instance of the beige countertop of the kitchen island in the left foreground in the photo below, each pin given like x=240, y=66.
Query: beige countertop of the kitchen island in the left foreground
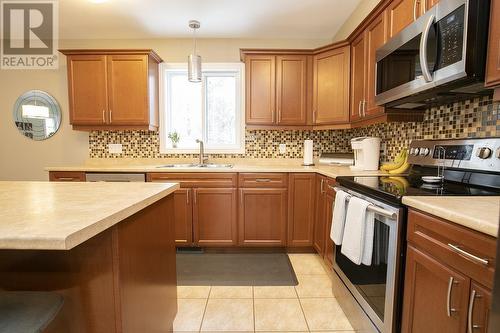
x=60, y=216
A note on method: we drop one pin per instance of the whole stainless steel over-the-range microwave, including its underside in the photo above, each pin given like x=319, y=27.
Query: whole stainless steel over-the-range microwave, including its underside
x=438, y=59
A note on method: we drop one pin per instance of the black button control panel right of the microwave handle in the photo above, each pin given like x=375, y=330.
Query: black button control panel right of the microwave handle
x=451, y=35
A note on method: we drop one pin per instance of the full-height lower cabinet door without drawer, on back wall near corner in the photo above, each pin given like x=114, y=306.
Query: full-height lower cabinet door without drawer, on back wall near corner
x=301, y=195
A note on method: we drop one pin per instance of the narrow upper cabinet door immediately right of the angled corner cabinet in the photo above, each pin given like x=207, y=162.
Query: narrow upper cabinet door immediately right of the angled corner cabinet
x=358, y=76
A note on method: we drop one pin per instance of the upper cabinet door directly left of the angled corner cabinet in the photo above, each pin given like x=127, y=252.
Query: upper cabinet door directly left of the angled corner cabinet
x=291, y=89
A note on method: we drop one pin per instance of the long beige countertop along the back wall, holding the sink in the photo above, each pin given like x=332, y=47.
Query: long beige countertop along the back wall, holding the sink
x=239, y=165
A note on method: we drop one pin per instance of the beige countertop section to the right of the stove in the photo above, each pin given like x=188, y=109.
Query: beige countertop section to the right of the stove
x=478, y=213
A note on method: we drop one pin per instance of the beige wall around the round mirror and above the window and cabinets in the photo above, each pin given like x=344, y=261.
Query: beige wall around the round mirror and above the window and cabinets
x=23, y=159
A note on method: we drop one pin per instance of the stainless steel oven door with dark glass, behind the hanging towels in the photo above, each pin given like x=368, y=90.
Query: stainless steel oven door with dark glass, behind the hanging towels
x=376, y=287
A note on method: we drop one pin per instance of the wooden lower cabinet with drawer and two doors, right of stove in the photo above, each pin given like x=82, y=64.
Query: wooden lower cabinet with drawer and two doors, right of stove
x=445, y=290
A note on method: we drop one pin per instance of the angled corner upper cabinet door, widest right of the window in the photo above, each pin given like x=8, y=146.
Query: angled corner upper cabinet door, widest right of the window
x=331, y=86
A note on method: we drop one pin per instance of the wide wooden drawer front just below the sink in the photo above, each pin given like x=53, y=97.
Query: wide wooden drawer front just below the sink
x=187, y=180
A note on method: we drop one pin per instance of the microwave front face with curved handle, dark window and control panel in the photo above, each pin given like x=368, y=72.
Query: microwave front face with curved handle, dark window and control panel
x=428, y=53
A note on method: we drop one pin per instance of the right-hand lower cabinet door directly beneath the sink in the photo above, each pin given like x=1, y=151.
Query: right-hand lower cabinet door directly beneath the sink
x=214, y=216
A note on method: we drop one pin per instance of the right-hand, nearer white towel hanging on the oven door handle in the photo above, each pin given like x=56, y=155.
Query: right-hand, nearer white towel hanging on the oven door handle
x=353, y=241
